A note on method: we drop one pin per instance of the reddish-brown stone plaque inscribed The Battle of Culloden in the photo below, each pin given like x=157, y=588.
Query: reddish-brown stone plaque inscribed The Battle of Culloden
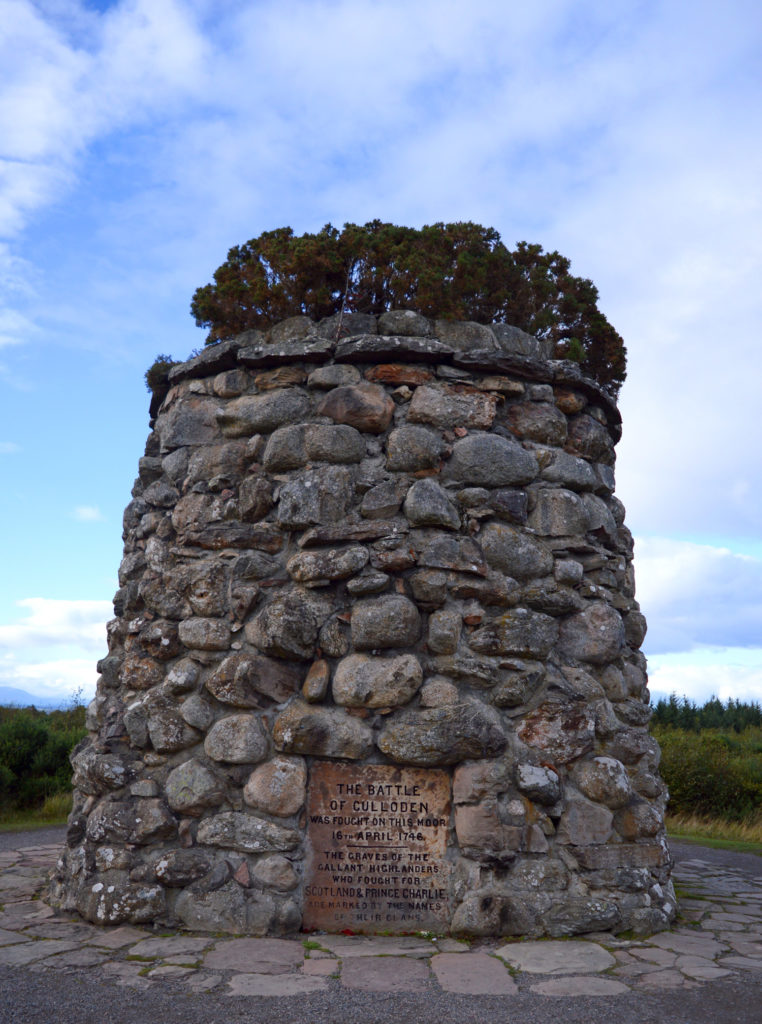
x=377, y=838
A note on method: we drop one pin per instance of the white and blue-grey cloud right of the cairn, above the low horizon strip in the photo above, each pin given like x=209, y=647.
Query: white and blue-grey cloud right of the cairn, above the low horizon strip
x=696, y=594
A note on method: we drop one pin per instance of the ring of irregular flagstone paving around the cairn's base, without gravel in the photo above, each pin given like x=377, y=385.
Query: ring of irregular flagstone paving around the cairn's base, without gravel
x=719, y=935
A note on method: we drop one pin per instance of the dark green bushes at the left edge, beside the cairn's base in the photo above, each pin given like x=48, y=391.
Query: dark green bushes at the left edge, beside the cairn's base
x=34, y=754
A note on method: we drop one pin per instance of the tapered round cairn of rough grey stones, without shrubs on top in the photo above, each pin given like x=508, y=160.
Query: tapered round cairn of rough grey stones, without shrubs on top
x=374, y=542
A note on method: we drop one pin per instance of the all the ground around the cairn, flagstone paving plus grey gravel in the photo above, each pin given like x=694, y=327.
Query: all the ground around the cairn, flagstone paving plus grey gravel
x=64, y=971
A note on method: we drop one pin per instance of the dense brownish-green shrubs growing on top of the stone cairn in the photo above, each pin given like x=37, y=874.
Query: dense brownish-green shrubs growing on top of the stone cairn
x=455, y=272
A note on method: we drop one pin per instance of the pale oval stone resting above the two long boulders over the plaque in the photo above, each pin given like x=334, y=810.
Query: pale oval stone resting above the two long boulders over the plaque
x=361, y=681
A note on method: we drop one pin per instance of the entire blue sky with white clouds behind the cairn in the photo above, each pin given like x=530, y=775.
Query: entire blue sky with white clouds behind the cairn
x=141, y=140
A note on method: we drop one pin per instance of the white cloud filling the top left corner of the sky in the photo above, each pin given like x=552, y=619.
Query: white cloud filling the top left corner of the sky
x=72, y=78
